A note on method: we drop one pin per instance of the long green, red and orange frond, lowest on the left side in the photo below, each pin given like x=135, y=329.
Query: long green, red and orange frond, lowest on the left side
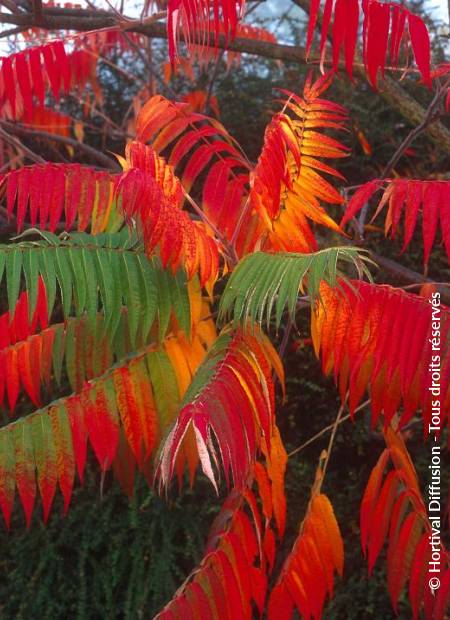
x=138, y=398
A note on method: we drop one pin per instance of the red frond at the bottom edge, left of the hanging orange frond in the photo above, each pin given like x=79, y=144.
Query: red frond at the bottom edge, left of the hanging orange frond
x=233, y=574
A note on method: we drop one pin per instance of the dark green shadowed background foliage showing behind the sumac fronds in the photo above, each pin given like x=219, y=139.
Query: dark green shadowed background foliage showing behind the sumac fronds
x=114, y=558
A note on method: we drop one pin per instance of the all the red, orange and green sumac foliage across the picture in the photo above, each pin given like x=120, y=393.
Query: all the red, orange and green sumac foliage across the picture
x=140, y=295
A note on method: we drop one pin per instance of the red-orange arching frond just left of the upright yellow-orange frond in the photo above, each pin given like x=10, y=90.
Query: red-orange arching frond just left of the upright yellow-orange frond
x=197, y=145
